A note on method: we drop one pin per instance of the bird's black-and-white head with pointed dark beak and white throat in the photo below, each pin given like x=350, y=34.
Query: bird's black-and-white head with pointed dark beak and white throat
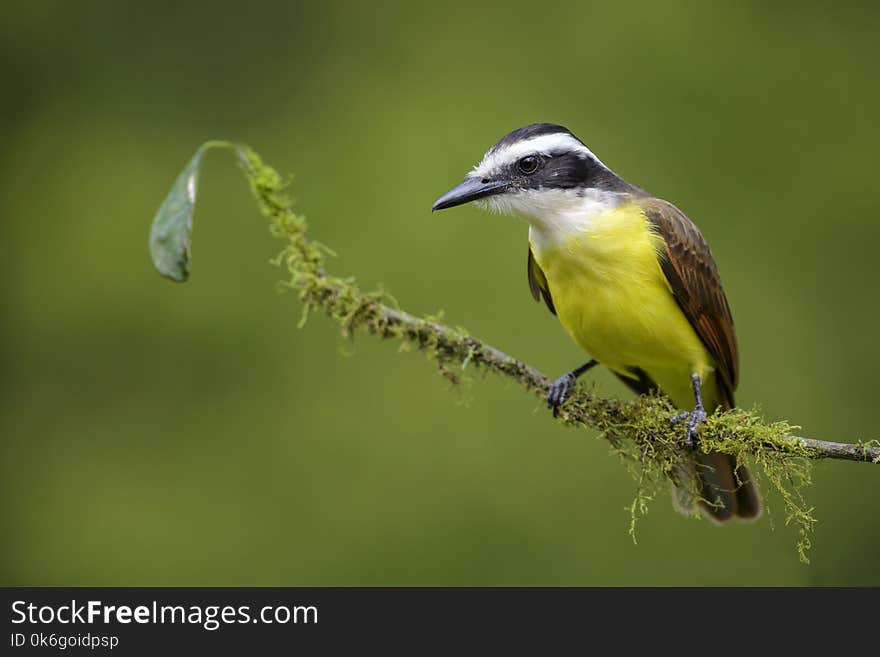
x=533, y=171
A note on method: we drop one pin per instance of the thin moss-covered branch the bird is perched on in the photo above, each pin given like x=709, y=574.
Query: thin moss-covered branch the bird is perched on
x=342, y=300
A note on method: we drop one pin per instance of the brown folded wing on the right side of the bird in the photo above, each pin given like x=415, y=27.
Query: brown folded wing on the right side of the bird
x=693, y=277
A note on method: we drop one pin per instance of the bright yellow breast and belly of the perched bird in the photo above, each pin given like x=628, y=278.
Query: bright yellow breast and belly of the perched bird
x=614, y=301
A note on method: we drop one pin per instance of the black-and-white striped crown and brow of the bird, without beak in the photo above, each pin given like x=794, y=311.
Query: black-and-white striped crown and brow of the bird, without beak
x=568, y=159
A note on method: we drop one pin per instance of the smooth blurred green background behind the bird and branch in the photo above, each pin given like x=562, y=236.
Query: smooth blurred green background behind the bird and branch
x=156, y=434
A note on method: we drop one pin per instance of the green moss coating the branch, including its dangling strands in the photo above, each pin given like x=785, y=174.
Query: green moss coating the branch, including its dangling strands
x=639, y=431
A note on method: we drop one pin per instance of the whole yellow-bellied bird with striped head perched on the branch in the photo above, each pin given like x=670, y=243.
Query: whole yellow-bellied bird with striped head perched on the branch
x=633, y=283
